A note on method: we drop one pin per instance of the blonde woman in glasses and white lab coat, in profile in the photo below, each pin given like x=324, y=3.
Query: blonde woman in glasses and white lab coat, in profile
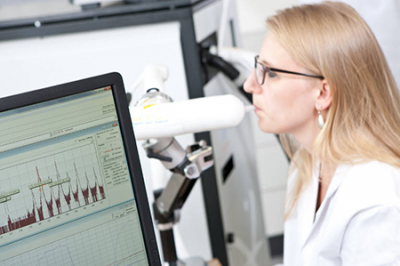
x=322, y=82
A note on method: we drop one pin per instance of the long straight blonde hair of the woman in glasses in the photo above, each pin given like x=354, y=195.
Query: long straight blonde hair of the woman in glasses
x=363, y=121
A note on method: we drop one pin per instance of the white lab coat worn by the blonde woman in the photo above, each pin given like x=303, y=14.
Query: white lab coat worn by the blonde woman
x=358, y=222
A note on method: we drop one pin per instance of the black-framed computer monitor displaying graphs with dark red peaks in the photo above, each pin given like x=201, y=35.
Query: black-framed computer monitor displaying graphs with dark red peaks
x=71, y=186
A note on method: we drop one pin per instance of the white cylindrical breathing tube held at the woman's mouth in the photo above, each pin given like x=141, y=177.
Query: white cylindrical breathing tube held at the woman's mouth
x=197, y=115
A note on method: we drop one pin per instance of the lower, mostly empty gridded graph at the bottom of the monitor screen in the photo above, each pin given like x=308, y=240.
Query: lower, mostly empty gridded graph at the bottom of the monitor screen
x=116, y=242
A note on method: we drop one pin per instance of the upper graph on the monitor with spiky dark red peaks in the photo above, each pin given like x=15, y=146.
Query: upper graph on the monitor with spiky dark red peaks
x=43, y=187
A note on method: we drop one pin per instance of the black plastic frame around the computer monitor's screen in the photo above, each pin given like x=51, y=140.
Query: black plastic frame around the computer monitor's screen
x=115, y=81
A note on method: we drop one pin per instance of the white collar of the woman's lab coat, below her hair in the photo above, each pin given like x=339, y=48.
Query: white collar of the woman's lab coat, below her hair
x=311, y=219
